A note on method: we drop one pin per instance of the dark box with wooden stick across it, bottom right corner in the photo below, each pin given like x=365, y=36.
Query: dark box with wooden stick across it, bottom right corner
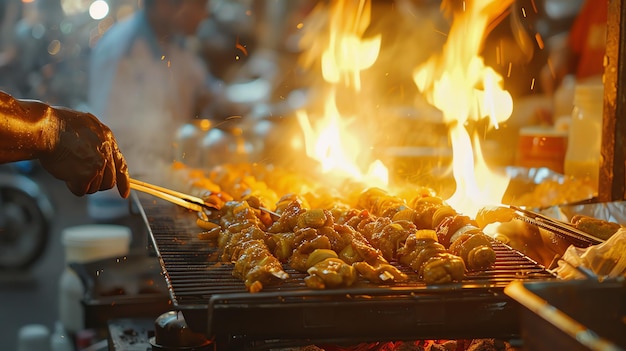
x=572, y=315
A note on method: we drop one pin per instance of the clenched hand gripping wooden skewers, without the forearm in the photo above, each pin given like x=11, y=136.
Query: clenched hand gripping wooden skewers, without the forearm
x=86, y=155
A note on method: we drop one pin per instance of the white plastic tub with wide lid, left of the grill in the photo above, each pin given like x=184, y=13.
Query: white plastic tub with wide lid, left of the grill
x=83, y=244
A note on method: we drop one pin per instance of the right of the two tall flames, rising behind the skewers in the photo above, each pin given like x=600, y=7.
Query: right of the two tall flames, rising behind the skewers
x=464, y=89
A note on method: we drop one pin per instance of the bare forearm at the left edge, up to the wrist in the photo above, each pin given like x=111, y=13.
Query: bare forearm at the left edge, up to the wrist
x=28, y=129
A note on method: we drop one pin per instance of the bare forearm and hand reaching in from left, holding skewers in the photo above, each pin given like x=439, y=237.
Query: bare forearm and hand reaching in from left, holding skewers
x=72, y=146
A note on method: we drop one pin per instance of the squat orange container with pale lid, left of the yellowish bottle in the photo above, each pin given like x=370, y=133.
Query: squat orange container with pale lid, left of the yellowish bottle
x=540, y=146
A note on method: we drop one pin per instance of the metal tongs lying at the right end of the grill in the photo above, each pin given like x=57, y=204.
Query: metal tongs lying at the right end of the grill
x=556, y=226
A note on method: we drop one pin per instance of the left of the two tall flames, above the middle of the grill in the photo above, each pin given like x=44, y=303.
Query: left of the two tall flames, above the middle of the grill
x=331, y=139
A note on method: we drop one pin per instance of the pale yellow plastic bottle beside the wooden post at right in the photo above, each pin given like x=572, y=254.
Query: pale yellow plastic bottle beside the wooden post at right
x=582, y=159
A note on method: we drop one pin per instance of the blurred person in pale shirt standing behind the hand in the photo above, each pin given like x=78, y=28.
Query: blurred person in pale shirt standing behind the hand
x=144, y=84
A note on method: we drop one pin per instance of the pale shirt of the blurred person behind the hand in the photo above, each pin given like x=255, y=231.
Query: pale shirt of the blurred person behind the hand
x=144, y=91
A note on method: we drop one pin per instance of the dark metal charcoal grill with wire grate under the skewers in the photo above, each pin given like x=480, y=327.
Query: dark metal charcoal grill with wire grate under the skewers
x=289, y=314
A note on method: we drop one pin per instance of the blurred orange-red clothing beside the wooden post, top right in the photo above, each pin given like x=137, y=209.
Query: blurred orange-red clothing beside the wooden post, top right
x=581, y=52
